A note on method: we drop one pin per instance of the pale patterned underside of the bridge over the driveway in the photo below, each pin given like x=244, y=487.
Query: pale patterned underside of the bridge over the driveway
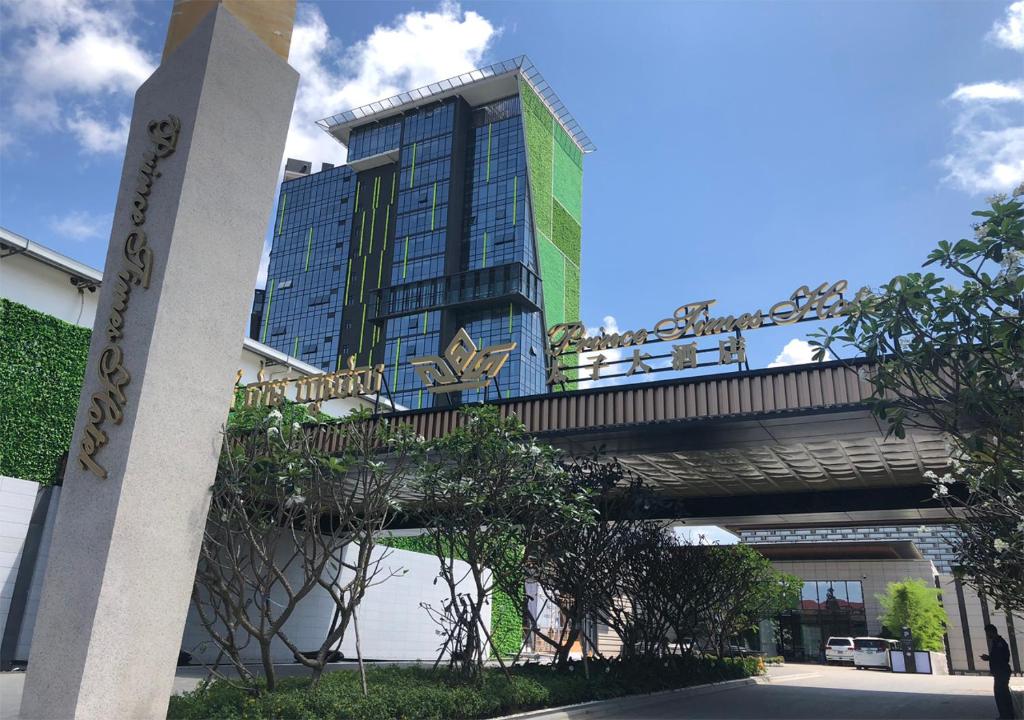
x=827, y=468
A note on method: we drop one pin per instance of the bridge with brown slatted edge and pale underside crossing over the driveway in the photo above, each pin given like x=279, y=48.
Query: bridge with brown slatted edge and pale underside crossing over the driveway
x=770, y=447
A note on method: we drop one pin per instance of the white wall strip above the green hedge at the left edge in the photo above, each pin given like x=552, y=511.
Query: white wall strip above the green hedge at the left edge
x=47, y=289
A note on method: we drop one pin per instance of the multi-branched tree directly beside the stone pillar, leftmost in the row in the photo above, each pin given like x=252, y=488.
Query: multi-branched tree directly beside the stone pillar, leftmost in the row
x=285, y=521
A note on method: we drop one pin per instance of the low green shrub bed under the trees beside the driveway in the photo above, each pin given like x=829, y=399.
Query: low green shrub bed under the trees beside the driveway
x=420, y=693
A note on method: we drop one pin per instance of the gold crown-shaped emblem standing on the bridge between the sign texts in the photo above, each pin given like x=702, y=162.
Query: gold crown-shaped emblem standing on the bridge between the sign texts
x=464, y=366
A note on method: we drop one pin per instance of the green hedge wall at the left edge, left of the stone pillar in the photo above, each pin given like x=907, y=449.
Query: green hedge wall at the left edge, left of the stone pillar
x=42, y=366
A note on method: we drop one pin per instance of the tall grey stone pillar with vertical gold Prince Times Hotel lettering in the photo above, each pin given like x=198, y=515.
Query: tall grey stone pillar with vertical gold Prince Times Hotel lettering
x=206, y=142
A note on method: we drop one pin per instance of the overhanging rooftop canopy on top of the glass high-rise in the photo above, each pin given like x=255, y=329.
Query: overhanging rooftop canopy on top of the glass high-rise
x=479, y=88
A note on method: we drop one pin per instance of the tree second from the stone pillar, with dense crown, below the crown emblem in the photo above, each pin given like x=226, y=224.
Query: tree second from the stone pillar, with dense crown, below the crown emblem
x=484, y=490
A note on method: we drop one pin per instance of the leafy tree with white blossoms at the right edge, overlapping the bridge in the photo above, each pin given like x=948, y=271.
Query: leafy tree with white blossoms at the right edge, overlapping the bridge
x=950, y=356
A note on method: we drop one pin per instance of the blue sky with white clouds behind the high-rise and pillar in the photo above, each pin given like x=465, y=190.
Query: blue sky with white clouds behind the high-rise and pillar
x=744, y=149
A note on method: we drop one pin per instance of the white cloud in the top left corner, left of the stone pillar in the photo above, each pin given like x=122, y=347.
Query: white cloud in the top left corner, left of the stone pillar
x=73, y=65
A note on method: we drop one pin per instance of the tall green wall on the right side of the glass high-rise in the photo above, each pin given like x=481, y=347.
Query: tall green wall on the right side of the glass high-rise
x=556, y=166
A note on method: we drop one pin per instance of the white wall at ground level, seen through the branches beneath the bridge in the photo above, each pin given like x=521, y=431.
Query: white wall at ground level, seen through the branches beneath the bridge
x=393, y=623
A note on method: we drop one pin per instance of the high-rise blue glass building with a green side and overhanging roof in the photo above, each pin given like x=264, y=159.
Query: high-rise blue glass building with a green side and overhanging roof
x=460, y=206
